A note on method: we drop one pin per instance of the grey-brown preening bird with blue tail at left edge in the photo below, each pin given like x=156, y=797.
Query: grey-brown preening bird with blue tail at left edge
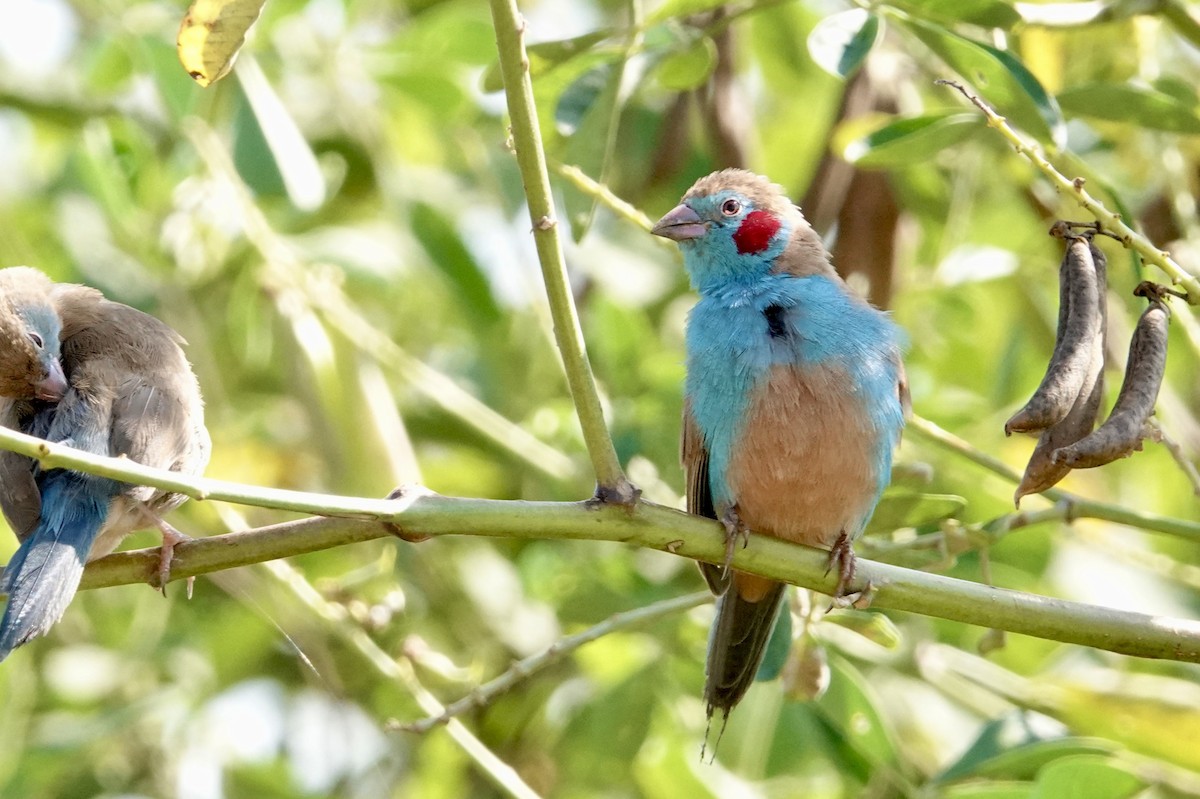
x=101, y=377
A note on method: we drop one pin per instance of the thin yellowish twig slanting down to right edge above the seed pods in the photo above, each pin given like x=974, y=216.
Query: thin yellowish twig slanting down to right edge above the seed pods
x=1111, y=221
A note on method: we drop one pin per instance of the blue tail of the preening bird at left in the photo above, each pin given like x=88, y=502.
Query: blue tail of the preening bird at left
x=45, y=573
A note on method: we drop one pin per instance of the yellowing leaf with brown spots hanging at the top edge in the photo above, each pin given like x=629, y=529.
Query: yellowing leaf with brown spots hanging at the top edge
x=212, y=34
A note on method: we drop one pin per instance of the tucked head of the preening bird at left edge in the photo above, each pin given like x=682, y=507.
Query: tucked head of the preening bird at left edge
x=29, y=338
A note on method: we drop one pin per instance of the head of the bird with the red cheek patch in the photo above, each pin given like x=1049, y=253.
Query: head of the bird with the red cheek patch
x=735, y=227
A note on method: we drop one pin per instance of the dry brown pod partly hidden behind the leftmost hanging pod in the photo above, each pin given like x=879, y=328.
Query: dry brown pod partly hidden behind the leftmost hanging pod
x=1043, y=472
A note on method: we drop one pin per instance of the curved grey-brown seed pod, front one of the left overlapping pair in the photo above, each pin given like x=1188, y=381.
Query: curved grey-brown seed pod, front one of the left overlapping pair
x=1081, y=293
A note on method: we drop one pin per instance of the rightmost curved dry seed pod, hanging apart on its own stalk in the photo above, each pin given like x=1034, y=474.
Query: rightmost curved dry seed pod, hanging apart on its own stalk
x=1124, y=430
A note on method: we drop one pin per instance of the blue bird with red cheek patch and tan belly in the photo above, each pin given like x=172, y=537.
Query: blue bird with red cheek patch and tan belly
x=794, y=401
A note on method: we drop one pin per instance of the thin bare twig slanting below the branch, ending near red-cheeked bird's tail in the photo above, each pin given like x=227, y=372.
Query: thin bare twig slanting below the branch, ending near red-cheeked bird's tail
x=525, y=669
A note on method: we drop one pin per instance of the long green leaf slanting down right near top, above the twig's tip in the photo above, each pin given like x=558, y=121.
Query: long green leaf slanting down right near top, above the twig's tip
x=999, y=79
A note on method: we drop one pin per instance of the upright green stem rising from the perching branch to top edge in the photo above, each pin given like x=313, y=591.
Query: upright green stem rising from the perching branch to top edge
x=532, y=161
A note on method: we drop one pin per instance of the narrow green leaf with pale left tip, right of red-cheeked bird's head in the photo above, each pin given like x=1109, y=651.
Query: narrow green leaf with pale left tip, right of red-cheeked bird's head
x=911, y=141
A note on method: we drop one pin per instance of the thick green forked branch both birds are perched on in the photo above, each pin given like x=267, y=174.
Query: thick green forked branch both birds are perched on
x=419, y=514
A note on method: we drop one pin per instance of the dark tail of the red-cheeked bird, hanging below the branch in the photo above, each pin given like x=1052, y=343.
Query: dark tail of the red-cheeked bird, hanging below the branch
x=737, y=645
